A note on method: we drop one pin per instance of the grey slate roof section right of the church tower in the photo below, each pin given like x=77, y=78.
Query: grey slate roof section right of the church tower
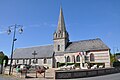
x=86, y=45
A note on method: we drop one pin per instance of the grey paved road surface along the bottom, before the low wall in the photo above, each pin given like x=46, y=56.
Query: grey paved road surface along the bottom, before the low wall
x=104, y=77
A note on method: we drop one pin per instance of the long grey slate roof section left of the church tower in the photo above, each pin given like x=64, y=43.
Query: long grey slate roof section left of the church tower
x=42, y=51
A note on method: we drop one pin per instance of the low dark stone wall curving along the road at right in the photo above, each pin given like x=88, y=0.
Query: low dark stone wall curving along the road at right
x=67, y=74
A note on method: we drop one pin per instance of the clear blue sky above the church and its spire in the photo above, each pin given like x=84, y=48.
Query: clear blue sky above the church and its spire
x=84, y=19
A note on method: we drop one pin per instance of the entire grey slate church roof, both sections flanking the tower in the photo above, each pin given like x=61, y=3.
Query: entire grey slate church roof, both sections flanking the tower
x=47, y=51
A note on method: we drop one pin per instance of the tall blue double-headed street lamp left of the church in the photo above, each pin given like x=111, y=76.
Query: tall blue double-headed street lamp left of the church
x=13, y=27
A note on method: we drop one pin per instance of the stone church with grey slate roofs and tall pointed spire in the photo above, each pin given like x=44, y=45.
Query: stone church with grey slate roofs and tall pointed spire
x=62, y=51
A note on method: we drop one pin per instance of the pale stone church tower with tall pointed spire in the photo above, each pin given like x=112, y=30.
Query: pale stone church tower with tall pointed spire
x=61, y=36
